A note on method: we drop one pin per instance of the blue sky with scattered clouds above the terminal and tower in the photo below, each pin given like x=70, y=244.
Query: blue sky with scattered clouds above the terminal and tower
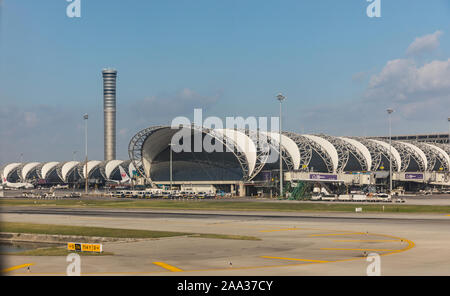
x=338, y=68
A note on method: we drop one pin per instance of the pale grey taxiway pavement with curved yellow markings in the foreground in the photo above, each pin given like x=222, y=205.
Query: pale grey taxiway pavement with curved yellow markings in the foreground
x=291, y=243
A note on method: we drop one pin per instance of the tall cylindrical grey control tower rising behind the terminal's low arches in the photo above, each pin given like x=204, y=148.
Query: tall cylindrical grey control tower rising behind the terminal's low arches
x=109, y=110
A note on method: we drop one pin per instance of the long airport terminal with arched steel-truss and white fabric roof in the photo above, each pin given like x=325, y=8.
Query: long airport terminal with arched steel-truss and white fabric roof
x=246, y=162
